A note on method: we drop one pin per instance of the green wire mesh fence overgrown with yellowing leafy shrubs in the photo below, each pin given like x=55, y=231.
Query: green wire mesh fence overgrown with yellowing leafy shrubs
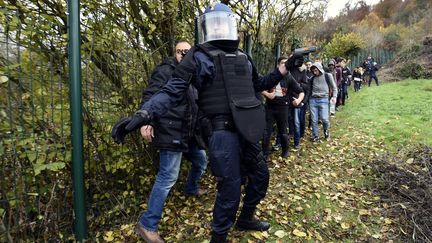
x=35, y=128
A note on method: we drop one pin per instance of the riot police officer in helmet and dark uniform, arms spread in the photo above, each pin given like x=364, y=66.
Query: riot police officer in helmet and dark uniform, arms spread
x=233, y=117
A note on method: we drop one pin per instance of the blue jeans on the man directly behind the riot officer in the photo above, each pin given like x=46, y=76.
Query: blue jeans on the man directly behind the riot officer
x=169, y=168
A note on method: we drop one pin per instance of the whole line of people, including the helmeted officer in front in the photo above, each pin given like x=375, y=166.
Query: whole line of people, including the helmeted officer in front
x=209, y=96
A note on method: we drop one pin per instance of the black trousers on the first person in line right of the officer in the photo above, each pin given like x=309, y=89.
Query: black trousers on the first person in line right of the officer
x=278, y=114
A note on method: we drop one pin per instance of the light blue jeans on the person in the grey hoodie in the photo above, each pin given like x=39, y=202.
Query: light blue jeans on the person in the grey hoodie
x=319, y=108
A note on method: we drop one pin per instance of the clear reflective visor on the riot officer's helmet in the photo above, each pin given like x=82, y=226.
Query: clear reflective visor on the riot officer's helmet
x=217, y=25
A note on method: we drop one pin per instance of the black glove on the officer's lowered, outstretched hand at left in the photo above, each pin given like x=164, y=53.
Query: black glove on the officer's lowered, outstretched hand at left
x=129, y=124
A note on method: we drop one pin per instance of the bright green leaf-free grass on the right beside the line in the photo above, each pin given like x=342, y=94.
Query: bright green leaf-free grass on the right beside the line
x=397, y=113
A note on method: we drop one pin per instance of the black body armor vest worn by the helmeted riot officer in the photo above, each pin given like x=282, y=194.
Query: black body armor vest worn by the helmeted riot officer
x=231, y=93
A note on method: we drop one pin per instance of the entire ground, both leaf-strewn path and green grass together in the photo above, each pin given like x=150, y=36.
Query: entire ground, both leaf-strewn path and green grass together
x=323, y=192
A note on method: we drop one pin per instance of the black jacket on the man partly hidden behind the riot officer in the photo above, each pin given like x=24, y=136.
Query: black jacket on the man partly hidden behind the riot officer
x=175, y=129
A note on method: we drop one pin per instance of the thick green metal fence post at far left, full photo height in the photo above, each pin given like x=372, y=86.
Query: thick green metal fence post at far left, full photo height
x=74, y=57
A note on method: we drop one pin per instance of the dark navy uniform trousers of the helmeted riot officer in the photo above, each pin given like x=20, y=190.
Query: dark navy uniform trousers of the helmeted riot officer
x=230, y=158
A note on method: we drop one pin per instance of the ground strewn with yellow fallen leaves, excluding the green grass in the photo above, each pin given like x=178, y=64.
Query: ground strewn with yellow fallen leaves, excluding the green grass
x=320, y=192
